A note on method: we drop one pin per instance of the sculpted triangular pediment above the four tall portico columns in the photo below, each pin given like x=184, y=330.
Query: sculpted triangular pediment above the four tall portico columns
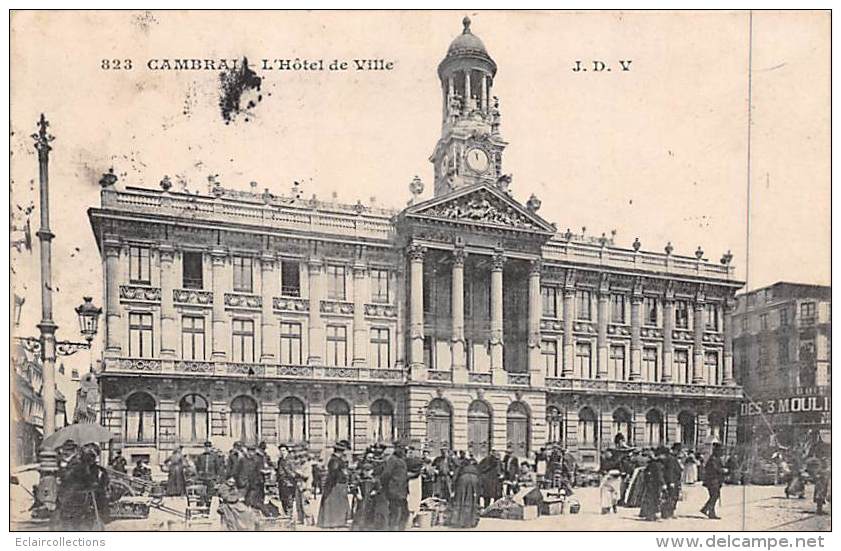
x=480, y=205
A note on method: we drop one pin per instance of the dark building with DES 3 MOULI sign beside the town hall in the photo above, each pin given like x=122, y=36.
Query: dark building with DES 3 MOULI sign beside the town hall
x=782, y=350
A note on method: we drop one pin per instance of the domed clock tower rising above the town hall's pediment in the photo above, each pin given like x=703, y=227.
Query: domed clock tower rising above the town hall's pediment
x=470, y=148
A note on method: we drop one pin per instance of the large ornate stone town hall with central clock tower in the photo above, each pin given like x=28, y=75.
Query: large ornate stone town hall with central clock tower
x=464, y=321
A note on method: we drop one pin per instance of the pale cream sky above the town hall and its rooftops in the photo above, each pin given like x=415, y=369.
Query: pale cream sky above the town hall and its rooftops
x=659, y=152
